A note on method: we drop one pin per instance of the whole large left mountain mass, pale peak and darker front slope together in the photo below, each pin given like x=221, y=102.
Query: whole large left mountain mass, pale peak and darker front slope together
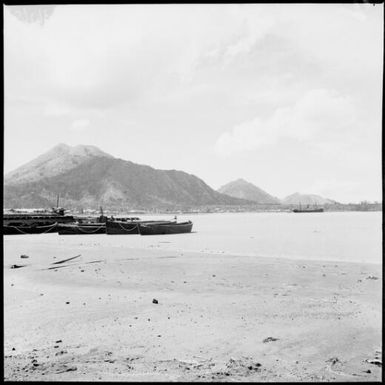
x=84, y=176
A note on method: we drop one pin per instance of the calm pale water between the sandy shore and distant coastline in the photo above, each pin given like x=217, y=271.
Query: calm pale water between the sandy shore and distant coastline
x=346, y=236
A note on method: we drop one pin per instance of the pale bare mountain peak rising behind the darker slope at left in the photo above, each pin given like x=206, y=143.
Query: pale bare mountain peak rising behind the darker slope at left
x=59, y=159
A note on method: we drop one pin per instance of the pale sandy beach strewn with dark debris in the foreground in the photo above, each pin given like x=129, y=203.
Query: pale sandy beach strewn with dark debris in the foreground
x=218, y=317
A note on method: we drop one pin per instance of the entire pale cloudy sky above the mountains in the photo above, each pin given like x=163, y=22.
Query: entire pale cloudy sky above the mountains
x=286, y=96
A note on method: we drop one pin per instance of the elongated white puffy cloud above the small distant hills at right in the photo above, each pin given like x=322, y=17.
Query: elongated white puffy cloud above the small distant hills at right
x=319, y=116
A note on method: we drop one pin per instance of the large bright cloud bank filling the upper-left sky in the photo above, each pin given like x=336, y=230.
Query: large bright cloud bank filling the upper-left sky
x=103, y=56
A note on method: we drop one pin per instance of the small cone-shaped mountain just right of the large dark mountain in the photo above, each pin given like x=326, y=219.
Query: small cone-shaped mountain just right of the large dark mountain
x=246, y=190
